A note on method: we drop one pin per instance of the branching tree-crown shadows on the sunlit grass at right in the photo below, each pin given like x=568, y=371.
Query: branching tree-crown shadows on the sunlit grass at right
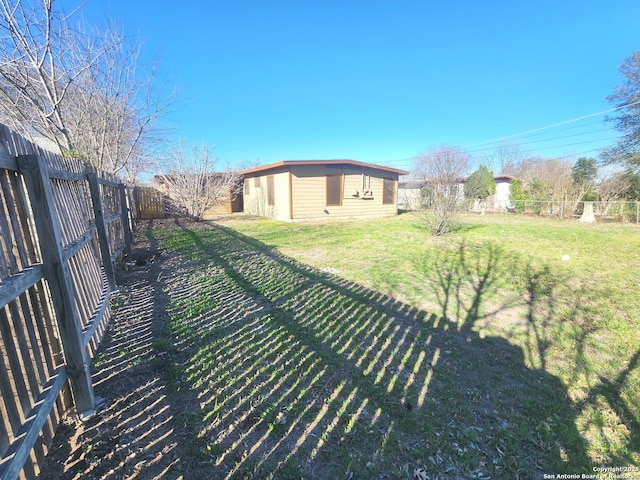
x=544, y=312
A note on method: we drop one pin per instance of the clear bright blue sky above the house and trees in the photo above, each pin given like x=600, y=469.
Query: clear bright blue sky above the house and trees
x=381, y=81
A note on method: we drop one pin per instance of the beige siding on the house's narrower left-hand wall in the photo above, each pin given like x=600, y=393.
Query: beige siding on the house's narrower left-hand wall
x=256, y=202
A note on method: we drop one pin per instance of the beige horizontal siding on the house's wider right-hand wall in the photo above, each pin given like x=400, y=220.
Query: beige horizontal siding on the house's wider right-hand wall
x=310, y=193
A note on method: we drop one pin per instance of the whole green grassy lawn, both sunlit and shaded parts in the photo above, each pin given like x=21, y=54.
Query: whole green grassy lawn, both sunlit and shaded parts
x=368, y=349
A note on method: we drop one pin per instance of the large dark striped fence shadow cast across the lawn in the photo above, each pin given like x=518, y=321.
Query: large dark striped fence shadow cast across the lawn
x=302, y=374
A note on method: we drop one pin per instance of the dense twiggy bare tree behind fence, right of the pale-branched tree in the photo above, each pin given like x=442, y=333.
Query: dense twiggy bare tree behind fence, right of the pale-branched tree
x=114, y=111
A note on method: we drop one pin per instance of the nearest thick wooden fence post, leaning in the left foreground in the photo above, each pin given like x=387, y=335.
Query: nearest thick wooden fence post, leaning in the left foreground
x=34, y=170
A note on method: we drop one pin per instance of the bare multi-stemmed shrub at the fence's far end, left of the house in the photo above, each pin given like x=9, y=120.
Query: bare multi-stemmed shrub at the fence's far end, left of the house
x=193, y=182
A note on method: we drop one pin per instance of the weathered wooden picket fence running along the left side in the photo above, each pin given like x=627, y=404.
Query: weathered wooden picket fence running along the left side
x=61, y=227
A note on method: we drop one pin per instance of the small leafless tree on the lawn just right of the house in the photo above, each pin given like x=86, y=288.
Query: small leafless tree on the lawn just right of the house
x=442, y=169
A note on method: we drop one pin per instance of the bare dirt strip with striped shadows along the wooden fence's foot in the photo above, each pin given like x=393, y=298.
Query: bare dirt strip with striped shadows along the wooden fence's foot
x=133, y=435
